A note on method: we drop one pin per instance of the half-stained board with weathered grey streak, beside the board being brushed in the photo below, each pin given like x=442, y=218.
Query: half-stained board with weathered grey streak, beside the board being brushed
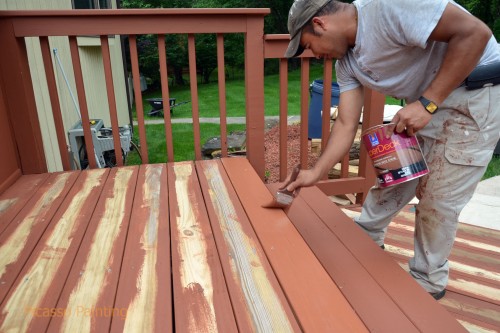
x=259, y=303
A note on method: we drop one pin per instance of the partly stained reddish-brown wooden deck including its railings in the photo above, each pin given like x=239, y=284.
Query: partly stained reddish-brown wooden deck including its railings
x=186, y=246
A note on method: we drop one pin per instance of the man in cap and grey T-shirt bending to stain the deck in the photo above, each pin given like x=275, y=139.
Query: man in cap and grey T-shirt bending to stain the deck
x=420, y=51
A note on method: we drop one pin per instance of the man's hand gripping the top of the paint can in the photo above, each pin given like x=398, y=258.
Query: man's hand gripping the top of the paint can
x=412, y=117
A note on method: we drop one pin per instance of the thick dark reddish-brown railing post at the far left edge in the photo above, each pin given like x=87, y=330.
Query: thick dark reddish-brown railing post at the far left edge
x=20, y=100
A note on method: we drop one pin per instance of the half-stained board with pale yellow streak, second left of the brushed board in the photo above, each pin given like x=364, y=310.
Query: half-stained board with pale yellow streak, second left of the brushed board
x=201, y=300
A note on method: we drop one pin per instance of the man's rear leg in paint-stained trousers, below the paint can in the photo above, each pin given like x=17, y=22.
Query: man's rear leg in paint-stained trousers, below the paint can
x=381, y=205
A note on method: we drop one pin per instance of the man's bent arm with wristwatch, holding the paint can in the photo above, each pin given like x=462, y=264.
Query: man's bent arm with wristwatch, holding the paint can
x=467, y=37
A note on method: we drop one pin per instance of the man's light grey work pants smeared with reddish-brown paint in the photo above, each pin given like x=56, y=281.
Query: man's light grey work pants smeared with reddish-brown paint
x=457, y=144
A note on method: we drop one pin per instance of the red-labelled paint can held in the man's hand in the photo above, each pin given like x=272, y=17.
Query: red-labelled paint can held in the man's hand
x=396, y=159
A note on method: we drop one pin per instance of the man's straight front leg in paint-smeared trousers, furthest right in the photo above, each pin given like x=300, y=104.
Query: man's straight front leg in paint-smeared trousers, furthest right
x=442, y=196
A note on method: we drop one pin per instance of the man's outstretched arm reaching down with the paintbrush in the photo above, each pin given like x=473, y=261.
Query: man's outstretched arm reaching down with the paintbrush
x=340, y=140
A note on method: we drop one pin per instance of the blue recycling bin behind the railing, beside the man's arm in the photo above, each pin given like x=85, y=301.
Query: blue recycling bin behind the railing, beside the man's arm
x=316, y=104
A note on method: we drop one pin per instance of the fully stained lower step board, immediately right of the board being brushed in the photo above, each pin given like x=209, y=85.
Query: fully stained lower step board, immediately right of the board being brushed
x=371, y=302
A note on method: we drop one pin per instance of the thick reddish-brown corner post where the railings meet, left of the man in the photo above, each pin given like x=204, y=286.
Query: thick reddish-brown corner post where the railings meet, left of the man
x=254, y=88
